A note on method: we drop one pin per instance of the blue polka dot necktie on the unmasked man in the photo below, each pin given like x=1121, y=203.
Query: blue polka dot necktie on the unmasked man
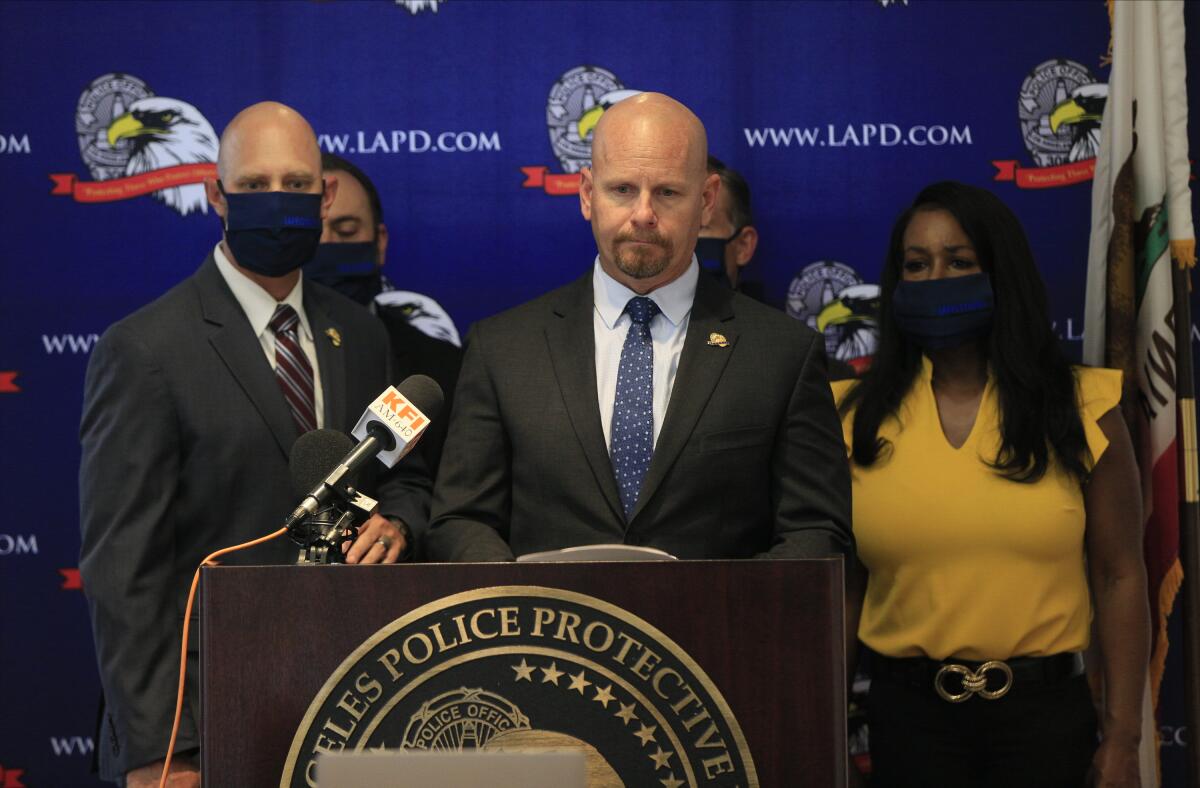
x=633, y=414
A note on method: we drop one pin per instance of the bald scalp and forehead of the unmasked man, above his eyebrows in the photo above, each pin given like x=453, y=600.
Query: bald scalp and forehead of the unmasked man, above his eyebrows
x=651, y=119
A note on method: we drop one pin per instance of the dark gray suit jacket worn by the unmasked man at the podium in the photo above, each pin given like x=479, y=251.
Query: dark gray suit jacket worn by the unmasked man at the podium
x=749, y=460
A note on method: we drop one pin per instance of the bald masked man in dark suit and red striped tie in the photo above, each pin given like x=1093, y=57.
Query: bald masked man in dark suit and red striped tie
x=191, y=408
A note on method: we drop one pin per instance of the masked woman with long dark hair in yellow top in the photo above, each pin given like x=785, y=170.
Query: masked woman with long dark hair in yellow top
x=997, y=501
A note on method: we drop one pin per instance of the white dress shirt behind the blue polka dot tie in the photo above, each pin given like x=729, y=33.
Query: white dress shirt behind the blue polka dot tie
x=668, y=332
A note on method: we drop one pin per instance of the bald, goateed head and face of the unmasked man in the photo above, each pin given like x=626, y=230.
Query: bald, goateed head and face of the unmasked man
x=649, y=190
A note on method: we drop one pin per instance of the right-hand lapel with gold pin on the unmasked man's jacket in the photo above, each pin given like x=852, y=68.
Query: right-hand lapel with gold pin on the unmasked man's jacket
x=700, y=370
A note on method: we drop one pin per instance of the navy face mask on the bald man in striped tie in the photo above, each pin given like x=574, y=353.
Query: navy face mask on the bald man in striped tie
x=272, y=233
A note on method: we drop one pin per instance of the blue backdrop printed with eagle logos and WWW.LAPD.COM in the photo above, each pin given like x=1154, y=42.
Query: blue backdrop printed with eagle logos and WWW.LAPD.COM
x=837, y=113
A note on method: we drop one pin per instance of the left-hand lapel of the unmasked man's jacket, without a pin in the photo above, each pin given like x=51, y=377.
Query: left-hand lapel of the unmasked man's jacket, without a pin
x=572, y=340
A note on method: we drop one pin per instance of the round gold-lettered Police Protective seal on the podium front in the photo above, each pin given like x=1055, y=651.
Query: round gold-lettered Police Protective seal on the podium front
x=529, y=667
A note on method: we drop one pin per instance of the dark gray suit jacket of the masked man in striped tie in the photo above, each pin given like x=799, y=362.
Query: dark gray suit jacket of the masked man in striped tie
x=187, y=438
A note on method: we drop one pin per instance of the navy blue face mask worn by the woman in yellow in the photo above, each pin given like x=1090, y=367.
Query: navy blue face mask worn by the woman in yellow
x=945, y=314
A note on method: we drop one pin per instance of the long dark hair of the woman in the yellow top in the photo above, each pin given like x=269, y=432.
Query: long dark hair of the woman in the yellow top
x=1034, y=380
